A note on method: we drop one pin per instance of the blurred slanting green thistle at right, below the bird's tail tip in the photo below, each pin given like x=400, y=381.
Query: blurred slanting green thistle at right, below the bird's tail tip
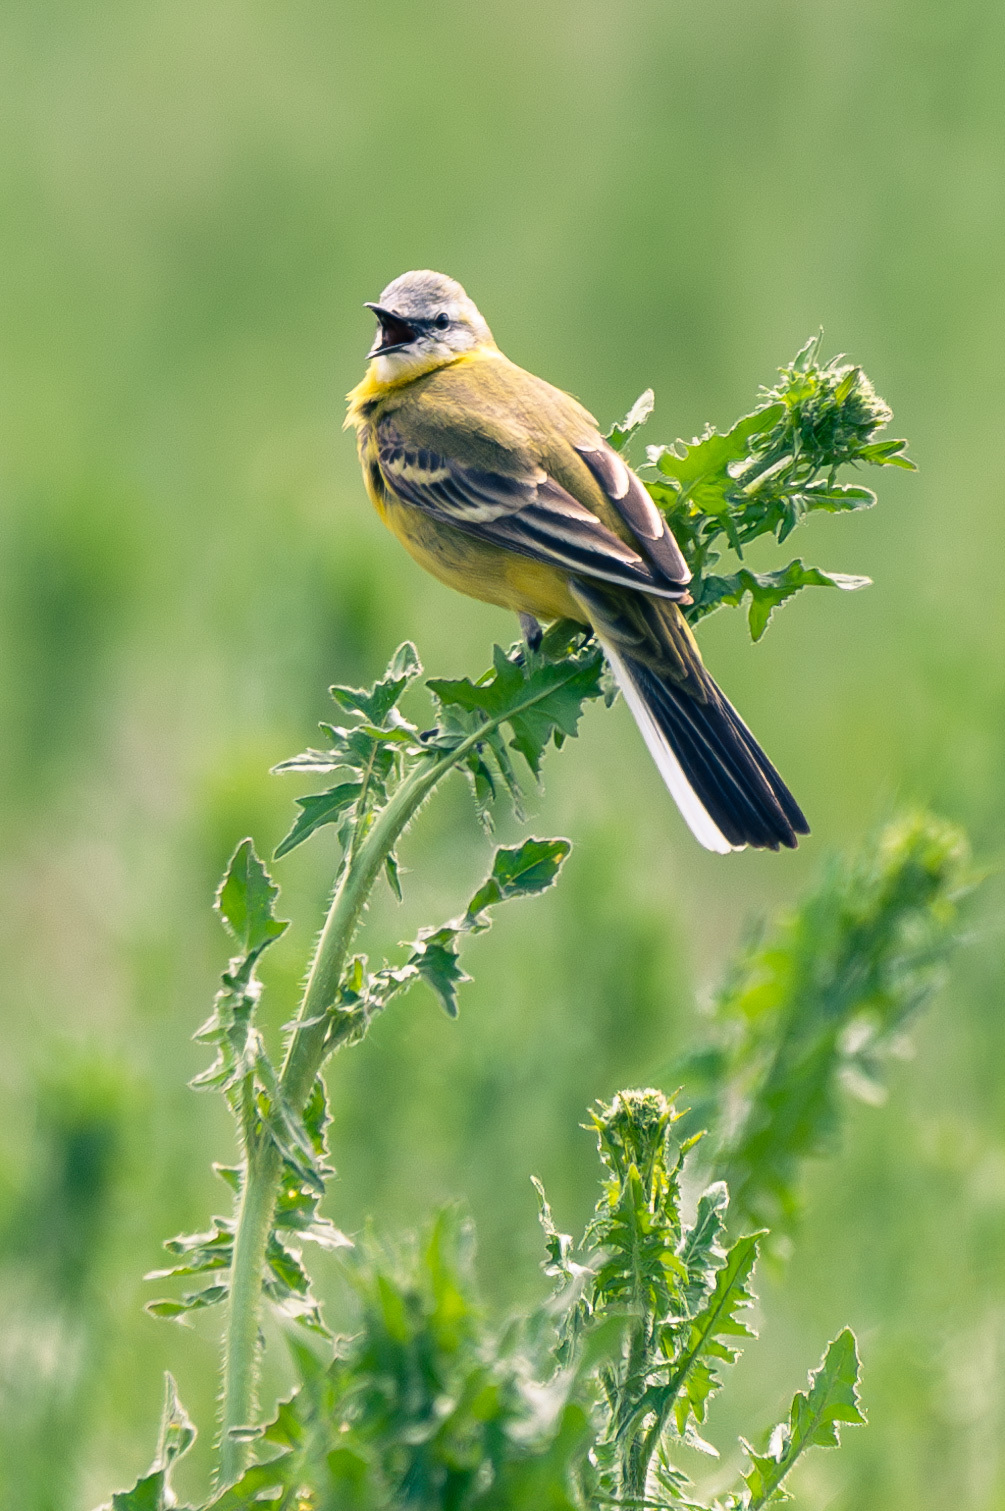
x=820, y=1004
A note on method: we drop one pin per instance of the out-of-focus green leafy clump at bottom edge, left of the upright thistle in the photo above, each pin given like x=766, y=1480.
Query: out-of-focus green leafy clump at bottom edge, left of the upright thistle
x=425, y=1406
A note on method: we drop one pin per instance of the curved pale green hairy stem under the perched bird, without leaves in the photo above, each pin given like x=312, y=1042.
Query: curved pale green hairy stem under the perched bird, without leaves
x=311, y=1045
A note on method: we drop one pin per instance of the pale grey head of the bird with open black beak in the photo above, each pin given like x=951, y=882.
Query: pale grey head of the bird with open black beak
x=427, y=321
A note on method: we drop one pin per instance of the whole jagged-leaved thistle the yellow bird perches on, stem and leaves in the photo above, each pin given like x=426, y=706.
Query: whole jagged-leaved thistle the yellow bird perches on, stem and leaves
x=761, y=478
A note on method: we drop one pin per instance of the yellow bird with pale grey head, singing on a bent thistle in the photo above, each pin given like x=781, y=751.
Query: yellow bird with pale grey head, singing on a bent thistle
x=502, y=487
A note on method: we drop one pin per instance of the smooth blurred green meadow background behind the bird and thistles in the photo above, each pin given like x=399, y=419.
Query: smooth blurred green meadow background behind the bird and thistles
x=197, y=199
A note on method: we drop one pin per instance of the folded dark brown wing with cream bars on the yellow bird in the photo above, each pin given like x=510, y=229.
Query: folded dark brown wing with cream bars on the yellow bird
x=524, y=511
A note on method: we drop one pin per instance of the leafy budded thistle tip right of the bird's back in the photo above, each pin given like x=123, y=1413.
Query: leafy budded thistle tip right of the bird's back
x=765, y=475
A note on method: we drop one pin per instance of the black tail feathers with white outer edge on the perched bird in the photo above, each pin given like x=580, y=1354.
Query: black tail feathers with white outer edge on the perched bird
x=726, y=788
